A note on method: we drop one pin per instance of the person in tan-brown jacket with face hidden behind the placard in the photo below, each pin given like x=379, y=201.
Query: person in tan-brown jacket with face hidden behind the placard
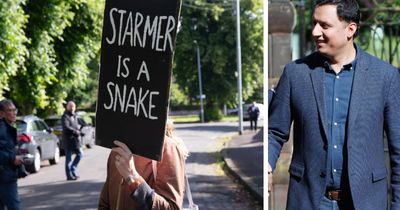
x=135, y=182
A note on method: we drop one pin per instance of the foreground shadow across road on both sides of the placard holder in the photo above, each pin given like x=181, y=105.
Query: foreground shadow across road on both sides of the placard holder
x=209, y=192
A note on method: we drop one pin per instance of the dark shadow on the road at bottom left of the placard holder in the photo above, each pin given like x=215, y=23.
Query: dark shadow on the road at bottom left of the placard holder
x=61, y=195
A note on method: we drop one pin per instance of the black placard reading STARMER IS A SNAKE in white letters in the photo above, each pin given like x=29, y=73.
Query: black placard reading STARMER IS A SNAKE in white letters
x=137, y=48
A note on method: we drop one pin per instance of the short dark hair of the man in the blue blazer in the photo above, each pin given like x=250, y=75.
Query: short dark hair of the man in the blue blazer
x=347, y=10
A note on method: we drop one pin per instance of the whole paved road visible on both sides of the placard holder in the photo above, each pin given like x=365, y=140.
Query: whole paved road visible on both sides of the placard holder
x=211, y=188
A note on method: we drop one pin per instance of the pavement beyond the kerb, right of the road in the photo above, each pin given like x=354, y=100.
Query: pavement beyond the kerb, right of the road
x=243, y=156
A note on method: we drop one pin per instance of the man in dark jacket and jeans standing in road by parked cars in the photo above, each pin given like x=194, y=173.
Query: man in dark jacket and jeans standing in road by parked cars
x=71, y=139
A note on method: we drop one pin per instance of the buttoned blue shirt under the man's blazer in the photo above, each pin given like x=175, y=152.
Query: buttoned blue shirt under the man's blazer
x=337, y=97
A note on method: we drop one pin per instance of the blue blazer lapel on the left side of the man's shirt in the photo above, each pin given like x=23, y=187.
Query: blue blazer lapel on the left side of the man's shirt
x=317, y=78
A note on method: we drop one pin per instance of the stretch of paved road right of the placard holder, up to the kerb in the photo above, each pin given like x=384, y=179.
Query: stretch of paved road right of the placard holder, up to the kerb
x=211, y=188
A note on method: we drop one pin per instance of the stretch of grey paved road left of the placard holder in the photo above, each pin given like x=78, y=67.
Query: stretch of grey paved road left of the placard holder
x=48, y=189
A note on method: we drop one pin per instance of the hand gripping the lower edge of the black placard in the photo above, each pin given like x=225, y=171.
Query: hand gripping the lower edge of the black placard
x=124, y=160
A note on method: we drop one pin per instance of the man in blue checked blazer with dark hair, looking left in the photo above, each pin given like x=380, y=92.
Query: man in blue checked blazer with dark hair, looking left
x=340, y=101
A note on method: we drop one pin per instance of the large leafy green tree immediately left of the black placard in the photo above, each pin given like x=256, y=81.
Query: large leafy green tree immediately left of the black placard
x=63, y=36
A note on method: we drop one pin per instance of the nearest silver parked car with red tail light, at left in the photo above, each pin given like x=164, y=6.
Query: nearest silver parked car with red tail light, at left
x=36, y=142
